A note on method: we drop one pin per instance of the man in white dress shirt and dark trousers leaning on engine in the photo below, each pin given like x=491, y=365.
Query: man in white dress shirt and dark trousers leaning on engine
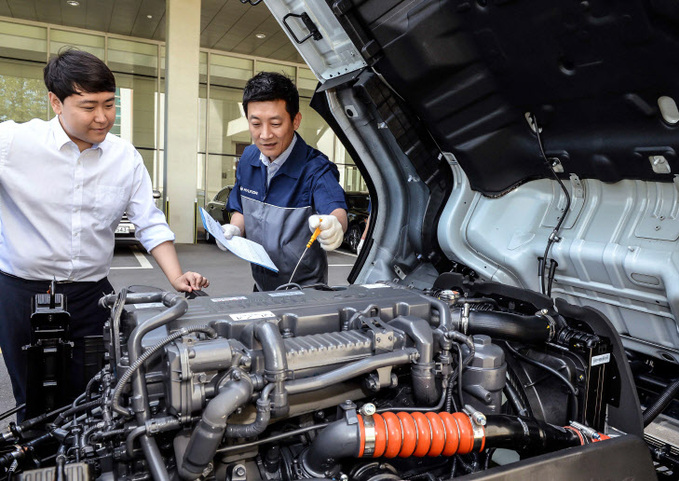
x=64, y=185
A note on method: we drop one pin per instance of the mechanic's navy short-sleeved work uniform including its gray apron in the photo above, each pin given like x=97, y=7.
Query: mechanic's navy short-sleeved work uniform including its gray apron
x=276, y=216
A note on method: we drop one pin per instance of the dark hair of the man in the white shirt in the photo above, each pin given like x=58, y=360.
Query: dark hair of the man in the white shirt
x=73, y=70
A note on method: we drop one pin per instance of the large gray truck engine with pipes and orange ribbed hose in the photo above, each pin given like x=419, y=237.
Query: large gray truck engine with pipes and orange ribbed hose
x=367, y=382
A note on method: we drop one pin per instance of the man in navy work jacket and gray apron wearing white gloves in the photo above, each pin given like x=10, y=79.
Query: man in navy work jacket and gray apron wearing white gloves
x=282, y=186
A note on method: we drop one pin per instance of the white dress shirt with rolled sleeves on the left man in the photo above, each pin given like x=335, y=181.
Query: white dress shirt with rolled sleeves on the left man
x=59, y=207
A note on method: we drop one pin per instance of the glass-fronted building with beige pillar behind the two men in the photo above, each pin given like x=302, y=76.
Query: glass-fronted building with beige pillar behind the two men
x=192, y=137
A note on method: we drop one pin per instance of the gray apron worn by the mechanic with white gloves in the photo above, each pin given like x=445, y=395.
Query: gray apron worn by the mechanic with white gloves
x=284, y=233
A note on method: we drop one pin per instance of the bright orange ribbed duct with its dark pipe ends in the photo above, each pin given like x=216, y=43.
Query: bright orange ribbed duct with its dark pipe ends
x=420, y=434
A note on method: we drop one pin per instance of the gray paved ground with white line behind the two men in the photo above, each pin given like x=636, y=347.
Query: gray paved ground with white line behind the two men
x=227, y=274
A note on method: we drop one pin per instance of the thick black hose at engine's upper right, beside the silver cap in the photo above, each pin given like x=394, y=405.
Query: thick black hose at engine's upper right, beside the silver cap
x=511, y=327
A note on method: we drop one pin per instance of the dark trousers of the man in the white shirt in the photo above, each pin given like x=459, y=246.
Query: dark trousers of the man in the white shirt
x=87, y=319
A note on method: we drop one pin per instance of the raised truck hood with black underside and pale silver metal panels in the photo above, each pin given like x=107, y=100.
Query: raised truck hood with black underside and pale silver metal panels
x=515, y=144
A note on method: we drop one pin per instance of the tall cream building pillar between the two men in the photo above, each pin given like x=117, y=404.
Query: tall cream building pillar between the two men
x=181, y=115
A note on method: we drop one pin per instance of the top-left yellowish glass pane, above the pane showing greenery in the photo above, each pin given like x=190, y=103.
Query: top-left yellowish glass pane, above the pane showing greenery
x=24, y=42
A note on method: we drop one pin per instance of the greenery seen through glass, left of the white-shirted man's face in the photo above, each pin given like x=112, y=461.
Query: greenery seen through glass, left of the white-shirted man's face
x=22, y=99
